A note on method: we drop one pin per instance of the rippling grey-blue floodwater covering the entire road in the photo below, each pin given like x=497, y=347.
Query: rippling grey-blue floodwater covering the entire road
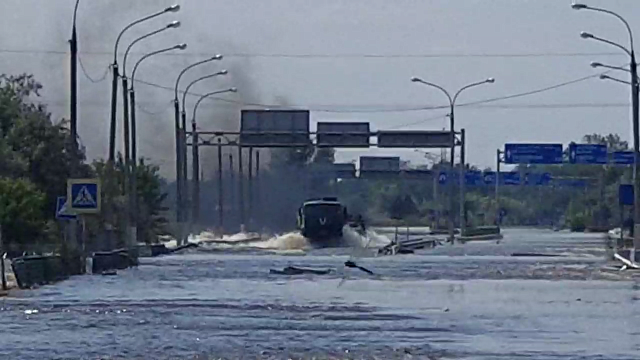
x=471, y=301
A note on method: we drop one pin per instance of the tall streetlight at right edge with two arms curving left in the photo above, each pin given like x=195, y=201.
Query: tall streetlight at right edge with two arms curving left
x=635, y=105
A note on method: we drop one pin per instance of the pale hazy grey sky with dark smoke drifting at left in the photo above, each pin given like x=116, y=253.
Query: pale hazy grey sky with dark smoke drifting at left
x=524, y=45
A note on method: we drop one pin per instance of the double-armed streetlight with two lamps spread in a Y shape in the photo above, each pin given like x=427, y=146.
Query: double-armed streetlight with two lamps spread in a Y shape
x=452, y=102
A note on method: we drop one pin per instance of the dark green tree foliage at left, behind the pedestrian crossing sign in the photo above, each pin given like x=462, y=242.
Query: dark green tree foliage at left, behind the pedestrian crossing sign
x=38, y=156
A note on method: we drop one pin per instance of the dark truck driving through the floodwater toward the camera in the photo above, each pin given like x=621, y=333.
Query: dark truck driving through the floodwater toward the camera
x=322, y=220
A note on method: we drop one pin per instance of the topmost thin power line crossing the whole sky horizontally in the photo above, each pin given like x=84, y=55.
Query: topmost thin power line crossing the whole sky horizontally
x=336, y=55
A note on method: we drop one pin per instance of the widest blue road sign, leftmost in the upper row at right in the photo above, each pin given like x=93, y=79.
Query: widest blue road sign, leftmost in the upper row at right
x=533, y=153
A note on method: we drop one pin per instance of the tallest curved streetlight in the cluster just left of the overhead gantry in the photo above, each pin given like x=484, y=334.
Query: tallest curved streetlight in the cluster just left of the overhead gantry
x=181, y=152
